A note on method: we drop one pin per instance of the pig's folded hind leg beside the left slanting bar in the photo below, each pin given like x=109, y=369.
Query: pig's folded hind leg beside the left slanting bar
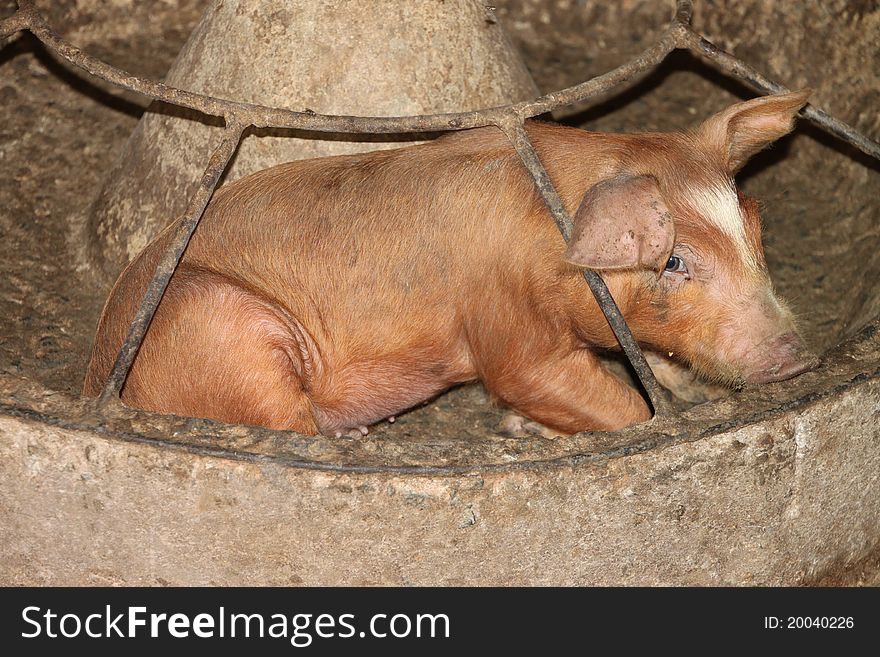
x=217, y=351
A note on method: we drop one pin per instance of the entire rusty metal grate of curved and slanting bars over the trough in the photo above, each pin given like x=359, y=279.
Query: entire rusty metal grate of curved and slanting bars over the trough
x=510, y=119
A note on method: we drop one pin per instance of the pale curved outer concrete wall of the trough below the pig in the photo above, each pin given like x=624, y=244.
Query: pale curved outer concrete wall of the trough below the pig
x=782, y=502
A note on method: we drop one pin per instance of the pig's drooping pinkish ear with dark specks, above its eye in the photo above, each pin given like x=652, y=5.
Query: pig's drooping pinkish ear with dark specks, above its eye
x=622, y=223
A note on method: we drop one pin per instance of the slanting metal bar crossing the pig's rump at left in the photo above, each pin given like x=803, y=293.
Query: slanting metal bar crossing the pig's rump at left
x=169, y=261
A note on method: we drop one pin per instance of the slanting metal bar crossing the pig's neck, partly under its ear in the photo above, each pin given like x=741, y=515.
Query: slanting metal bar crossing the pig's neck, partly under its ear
x=518, y=137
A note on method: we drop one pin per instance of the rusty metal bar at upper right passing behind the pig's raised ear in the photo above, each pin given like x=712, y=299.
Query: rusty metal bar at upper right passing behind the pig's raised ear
x=732, y=66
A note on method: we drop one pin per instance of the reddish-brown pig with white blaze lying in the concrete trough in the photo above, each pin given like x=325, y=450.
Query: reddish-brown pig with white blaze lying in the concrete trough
x=325, y=295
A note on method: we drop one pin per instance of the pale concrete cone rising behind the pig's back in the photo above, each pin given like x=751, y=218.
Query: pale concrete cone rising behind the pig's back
x=382, y=57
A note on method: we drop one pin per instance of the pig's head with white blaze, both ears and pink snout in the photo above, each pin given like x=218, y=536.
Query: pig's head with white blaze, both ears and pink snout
x=680, y=247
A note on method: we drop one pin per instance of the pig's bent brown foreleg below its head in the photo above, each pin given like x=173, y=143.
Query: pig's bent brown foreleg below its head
x=568, y=392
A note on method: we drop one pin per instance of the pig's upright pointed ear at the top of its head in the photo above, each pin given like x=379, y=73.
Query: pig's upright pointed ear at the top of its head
x=743, y=129
